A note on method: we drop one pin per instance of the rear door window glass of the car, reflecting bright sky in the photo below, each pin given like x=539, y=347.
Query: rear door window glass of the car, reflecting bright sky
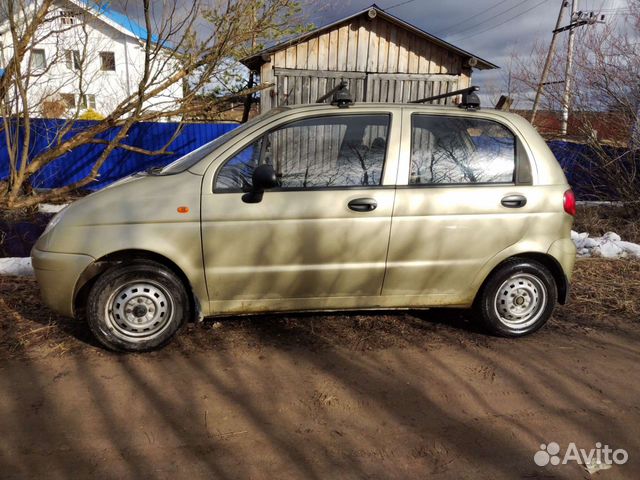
x=457, y=150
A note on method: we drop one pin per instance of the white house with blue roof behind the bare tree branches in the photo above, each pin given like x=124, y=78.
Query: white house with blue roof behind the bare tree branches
x=85, y=56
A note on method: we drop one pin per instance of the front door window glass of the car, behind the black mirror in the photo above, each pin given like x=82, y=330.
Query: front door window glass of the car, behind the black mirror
x=332, y=151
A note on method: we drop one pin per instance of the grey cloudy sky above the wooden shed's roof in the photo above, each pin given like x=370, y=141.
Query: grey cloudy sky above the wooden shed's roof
x=491, y=29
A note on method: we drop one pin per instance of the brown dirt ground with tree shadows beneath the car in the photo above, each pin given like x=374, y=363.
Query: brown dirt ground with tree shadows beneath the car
x=388, y=395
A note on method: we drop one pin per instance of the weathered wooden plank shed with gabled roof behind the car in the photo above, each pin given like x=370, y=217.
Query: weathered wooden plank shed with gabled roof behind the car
x=383, y=59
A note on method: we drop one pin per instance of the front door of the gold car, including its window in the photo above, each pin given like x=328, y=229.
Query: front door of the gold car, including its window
x=320, y=239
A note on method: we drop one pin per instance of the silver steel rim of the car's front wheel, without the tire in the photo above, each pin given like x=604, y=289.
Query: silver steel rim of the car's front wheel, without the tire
x=139, y=311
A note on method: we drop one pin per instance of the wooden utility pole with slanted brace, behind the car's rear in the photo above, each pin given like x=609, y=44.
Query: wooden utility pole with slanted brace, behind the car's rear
x=578, y=19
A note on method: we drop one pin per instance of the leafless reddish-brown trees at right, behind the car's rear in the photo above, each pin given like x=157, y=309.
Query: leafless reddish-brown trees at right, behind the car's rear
x=605, y=101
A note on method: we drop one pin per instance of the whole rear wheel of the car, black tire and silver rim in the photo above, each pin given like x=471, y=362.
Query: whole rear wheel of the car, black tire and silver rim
x=517, y=298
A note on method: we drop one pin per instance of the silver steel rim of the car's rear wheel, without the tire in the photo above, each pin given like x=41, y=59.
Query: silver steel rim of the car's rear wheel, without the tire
x=520, y=301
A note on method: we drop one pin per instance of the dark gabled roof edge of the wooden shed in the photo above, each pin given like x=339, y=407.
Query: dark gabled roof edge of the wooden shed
x=255, y=61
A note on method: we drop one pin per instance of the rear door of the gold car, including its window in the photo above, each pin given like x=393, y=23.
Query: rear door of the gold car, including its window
x=464, y=195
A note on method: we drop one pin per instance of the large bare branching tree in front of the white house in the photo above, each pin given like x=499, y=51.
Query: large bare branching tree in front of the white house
x=184, y=48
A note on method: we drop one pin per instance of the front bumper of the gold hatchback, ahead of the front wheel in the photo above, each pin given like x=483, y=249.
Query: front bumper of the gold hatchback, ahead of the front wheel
x=58, y=275
